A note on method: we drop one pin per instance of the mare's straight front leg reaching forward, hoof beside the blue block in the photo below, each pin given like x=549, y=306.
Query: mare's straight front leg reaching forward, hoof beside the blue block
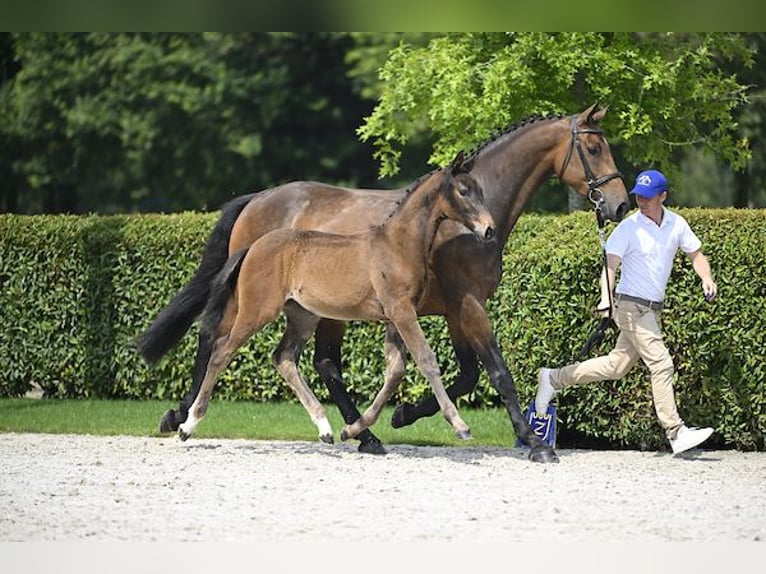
x=476, y=326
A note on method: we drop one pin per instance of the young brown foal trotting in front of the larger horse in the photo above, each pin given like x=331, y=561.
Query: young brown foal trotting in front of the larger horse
x=377, y=275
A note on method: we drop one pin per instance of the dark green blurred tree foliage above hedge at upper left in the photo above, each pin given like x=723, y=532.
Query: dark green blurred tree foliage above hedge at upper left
x=115, y=122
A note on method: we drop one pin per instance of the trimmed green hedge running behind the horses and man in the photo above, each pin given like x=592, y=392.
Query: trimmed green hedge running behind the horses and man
x=76, y=291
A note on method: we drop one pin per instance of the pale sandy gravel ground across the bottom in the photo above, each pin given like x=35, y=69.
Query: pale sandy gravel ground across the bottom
x=82, y=488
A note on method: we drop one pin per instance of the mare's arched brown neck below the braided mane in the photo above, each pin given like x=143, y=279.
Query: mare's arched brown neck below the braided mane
x=512, y=168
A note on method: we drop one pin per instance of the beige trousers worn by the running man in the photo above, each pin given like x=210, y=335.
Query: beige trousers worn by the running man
x=640, y=338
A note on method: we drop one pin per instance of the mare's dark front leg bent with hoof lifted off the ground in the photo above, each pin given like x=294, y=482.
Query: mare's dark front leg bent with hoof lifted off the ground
x=407, y=413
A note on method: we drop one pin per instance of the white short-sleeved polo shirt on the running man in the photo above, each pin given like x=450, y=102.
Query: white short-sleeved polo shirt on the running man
x=647, y=251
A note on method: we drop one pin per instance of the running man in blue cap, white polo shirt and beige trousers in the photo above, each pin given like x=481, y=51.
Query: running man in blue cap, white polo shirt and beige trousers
x=644, y=245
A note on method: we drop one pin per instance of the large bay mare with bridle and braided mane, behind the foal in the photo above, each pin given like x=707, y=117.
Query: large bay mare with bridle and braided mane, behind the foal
x=462, y=273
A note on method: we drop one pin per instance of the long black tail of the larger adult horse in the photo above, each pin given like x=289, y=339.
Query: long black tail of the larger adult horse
x=177, y=317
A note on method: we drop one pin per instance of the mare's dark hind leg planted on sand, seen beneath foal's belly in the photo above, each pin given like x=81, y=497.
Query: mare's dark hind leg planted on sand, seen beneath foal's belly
x=327, y=362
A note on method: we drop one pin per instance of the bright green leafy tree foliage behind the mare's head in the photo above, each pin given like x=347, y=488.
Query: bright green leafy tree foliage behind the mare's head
x=667, y=91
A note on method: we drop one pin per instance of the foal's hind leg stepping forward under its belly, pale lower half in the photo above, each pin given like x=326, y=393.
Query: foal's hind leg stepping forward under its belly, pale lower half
x=300, y=326
